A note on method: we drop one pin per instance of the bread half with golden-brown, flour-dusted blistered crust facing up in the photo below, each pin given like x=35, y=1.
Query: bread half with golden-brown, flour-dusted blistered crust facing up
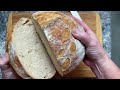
x=54, y=29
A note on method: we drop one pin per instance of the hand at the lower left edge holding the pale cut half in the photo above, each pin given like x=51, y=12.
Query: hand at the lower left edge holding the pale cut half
x=6, y=70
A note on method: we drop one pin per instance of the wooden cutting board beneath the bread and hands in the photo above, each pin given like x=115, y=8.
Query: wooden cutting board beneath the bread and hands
x=92, y=19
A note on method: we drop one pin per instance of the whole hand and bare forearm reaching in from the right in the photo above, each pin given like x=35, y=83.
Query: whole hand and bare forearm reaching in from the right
x=96, y=57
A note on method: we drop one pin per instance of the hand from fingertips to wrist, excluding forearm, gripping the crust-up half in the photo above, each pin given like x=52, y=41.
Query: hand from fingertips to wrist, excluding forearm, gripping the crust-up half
x=94, y=51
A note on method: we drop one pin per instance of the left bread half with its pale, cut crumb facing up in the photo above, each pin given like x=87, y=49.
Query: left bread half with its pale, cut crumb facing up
x=29, y=51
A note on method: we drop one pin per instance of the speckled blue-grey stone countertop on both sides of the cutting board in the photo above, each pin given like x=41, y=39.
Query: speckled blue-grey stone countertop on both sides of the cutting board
x=106, y=28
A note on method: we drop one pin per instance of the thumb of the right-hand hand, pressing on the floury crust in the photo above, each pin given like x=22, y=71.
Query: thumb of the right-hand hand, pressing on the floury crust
x=81, y=36
